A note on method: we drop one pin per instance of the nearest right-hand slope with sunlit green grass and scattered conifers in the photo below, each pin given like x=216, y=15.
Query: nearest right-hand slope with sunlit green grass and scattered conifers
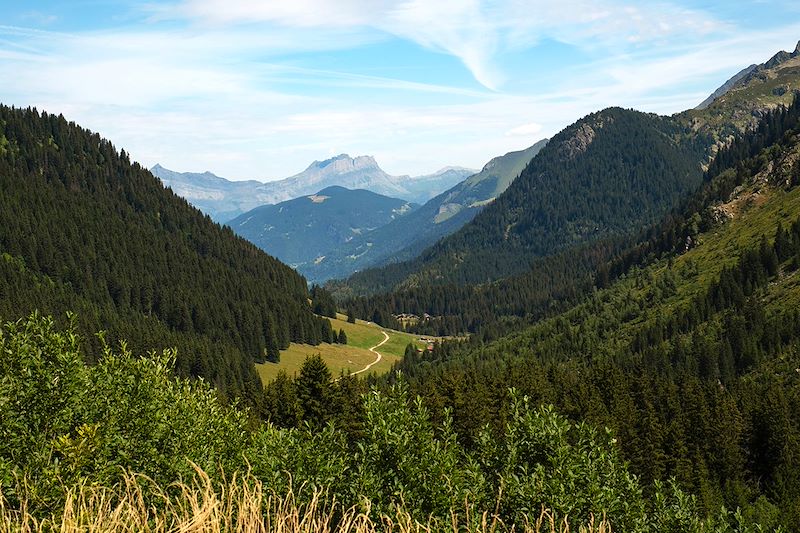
x=691, y=355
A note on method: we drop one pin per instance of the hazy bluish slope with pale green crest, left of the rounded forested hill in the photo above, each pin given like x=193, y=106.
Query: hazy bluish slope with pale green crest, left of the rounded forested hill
x=407, y=237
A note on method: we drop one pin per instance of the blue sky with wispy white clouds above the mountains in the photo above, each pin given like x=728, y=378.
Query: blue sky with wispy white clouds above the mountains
x=258, y=89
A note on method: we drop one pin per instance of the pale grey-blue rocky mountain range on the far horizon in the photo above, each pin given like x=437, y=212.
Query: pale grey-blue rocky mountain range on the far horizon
x=224, y=200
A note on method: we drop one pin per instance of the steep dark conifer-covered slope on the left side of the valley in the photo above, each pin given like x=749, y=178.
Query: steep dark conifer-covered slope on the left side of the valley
x=83, y=229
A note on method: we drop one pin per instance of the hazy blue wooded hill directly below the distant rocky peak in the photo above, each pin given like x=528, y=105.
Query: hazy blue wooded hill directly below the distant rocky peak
x=304, y=231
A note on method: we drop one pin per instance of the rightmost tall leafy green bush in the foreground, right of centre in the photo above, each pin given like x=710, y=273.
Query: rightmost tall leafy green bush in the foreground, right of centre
x=546, y=461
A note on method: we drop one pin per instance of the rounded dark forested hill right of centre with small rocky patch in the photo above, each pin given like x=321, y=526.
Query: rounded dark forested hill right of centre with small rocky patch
x=607, y=175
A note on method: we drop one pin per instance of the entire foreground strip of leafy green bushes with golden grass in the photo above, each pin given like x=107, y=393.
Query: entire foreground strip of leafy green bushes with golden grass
x=71, y=434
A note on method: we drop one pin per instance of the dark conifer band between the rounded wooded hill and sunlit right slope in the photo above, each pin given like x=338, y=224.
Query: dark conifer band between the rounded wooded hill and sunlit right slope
x=558, y=281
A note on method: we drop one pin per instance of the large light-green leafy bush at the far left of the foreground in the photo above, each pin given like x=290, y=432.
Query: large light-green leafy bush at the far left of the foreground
x=63, y=423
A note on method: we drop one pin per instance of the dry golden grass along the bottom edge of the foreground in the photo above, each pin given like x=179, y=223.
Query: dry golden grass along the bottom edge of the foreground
x=241, y=505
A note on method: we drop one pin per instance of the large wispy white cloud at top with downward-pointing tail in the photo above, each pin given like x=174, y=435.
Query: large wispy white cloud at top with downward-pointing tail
x=474, y=31
